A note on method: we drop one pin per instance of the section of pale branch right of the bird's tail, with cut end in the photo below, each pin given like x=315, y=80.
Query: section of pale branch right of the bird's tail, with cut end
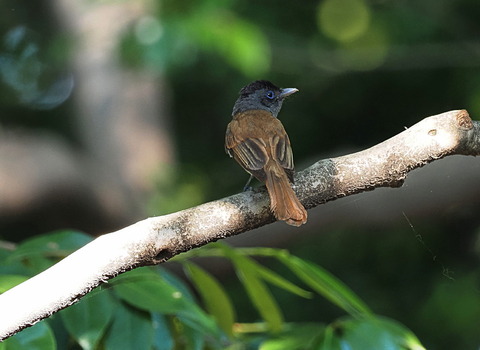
x=388, y=163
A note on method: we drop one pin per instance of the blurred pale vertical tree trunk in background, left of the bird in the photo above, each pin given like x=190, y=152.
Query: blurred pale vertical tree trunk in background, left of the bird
x=121, y=112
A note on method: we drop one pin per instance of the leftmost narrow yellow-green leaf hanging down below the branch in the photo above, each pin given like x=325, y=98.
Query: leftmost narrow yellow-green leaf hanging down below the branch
x=214, y=296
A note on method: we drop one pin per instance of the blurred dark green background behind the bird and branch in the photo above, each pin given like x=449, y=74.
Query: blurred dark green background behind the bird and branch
x=112, y=111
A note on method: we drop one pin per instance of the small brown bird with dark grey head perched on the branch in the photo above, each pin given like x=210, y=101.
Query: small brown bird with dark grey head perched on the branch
x=257, y=140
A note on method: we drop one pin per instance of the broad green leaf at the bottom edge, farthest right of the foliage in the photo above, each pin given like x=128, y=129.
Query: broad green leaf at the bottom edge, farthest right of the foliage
x=369, y=333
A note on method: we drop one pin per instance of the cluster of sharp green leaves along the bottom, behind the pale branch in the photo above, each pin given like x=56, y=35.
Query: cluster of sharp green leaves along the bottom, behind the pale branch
x=150, y=308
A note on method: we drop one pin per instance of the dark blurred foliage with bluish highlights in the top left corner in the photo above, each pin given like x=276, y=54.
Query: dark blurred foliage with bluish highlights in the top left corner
x=35, y=78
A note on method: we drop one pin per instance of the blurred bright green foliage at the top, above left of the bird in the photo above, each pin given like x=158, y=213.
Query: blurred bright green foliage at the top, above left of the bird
x=181, y=32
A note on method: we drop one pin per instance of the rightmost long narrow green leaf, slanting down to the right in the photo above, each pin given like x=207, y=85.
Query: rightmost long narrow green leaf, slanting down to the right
x=327, y=285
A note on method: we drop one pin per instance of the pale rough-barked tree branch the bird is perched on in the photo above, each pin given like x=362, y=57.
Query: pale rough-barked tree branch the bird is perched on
x=157, y=239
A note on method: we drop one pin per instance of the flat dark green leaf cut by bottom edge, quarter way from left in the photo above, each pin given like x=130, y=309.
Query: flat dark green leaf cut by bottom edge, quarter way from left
x=131, y=329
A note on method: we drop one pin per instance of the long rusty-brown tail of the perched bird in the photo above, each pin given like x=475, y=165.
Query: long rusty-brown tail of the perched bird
x=283, y=201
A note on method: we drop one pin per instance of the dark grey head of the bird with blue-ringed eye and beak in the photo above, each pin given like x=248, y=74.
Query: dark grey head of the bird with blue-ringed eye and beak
x=262, y=94
